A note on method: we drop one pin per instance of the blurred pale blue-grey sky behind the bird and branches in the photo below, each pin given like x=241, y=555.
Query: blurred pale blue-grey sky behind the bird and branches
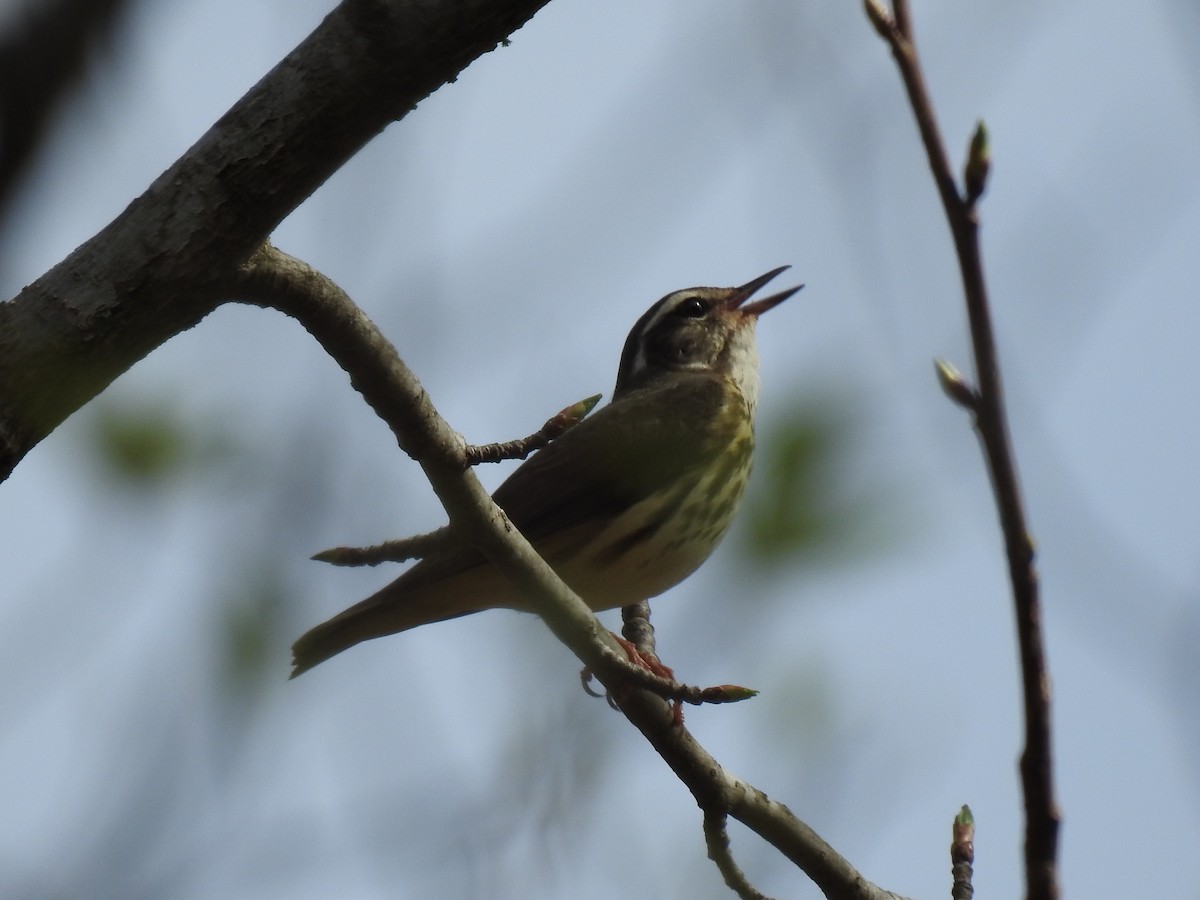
x=506, y=237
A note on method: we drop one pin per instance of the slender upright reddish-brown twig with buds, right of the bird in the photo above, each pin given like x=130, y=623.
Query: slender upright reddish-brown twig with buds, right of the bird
x=991, y=421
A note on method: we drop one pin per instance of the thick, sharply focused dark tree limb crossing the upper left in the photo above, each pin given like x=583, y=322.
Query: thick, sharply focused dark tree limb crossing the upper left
x=164, y=263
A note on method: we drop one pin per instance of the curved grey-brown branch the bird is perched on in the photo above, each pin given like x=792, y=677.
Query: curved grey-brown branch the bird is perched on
x=273, y=279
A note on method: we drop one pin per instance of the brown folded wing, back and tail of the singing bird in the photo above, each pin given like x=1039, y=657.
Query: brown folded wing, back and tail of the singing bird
x=561, y=496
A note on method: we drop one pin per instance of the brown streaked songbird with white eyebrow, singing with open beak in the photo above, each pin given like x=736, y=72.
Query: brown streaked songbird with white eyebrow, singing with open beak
x=627, y=503
